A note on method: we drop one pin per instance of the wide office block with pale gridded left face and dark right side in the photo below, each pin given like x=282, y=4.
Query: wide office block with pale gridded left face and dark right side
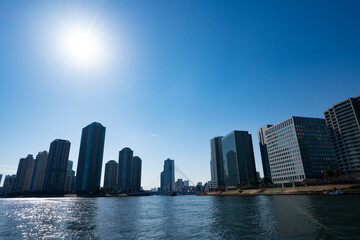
x=299, y=148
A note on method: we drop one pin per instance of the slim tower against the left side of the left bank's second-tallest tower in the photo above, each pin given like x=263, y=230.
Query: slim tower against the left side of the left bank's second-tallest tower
x=38, y=176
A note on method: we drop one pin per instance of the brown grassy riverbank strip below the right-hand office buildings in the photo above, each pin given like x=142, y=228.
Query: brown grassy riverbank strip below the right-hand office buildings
x=308, y=190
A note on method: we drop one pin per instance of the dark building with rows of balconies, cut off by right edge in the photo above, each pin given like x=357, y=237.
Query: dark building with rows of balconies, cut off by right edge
x=343, y=121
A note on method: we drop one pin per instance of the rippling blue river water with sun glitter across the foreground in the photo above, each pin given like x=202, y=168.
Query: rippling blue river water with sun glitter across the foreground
x=182, y=217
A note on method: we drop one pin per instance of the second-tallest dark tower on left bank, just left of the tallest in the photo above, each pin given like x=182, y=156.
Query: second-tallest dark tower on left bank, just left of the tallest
x=56, y=166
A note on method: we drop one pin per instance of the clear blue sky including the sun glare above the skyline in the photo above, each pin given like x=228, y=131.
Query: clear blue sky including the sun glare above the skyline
x=164, y=77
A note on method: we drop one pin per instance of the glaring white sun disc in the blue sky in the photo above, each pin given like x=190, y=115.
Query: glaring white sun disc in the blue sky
x=82, y=46
